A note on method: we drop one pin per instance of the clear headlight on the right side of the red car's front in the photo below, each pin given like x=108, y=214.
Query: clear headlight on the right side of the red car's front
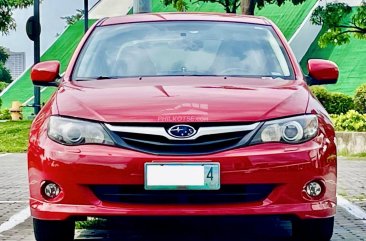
x=290, y=130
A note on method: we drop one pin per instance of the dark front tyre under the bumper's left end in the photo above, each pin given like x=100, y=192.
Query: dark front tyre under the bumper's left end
x=54, y=230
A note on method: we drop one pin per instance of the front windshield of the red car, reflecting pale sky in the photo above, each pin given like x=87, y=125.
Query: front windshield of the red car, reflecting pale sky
x=183, y=48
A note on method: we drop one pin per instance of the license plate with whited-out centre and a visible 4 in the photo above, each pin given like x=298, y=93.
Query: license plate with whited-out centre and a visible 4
x=182, y=176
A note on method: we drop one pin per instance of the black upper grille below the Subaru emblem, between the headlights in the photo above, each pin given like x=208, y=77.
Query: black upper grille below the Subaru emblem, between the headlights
x=161, y=145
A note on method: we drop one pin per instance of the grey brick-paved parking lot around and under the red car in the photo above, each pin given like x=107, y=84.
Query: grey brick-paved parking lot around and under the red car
x=13, y=195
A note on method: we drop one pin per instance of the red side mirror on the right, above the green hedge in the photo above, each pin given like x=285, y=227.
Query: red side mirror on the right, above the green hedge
x=322, y=72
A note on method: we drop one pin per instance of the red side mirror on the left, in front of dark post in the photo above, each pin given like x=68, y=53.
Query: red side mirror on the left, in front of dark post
x=46, y=73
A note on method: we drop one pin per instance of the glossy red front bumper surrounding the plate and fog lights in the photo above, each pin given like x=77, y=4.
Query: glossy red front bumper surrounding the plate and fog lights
x=289, y=167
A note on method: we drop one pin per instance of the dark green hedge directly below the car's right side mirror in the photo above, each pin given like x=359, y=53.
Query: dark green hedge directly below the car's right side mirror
x=334, y=103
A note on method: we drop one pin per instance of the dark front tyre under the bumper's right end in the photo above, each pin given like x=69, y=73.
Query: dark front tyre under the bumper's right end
x=313, y=229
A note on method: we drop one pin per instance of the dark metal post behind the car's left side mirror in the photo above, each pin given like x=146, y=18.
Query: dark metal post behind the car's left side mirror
x=37, y=59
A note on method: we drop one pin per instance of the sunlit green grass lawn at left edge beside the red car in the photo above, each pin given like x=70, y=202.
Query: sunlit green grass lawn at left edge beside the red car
x=14, y=136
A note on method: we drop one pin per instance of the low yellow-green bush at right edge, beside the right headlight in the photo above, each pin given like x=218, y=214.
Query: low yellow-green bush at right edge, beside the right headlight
x=351, y=121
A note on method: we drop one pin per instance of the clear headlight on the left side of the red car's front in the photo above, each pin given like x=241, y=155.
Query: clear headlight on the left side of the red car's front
x=77, y=132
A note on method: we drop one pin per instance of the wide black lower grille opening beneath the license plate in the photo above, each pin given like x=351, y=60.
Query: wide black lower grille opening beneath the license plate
x=136, y=194
